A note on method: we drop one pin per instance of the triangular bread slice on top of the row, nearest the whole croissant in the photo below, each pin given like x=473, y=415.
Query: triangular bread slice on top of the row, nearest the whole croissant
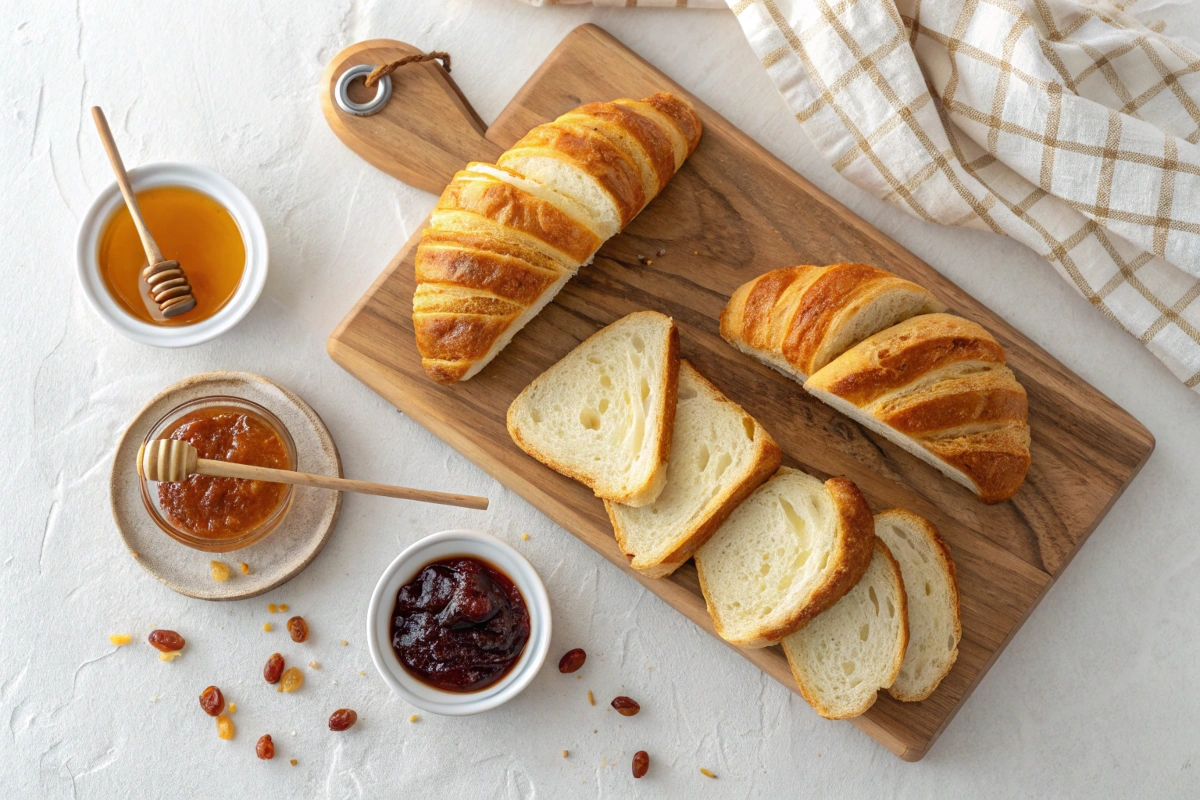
x=605, y=413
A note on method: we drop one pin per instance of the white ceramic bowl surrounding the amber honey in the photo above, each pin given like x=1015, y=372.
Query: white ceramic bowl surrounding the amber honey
x=202, y=179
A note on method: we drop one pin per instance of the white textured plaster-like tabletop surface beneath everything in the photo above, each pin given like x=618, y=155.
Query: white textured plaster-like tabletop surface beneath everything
x=1097, y=696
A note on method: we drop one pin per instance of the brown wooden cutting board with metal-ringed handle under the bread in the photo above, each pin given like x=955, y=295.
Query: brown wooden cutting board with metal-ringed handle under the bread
x=733, y=213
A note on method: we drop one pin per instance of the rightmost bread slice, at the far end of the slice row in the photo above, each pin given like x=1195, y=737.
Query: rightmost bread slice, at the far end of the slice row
x=932, y=586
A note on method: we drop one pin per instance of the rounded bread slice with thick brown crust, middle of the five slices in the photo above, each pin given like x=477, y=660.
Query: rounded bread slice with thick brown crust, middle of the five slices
x=789, y=552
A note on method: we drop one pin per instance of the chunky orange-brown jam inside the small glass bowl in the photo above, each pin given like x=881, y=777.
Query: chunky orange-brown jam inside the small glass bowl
x=223, y=508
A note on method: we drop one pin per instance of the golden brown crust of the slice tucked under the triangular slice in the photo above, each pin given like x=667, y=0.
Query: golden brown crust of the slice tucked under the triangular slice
x=769, y=459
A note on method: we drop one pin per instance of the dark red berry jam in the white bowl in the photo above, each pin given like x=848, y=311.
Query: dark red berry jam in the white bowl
x=460, y=625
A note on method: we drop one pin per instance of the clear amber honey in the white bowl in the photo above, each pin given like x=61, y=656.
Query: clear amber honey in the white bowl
x=191, y=228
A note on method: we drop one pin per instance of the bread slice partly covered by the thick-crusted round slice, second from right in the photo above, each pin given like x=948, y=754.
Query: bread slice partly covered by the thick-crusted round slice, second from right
x=847, y=655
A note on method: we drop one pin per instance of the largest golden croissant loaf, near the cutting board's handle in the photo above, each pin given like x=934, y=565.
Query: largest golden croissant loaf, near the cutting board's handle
x=506, y=238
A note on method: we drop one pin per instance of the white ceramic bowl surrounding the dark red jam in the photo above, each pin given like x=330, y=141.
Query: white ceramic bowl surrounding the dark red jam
x=406, y=568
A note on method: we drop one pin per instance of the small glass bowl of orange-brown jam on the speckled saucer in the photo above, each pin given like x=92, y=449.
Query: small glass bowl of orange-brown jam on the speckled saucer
x=219, y=515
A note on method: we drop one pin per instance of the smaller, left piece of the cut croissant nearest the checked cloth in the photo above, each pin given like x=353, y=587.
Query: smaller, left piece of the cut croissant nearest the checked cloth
x=801, y=318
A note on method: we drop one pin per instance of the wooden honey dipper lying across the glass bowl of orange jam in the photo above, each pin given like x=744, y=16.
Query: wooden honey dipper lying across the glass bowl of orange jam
x=173, y=460
